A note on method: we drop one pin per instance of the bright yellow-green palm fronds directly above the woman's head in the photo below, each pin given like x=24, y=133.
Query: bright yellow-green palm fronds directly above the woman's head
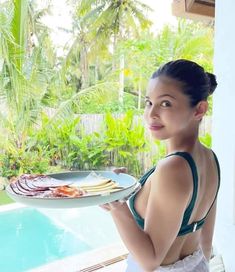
x=188, y=40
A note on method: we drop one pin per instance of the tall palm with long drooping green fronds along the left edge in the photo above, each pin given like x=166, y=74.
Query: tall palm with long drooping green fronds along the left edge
x=23, y=77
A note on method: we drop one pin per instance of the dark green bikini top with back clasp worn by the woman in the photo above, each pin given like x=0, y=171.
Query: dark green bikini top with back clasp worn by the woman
x=185, y=227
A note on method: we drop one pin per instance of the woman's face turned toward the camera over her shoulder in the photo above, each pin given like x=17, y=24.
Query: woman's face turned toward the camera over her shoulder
x=167, y=109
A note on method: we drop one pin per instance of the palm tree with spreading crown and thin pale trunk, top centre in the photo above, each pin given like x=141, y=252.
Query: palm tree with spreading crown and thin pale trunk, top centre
x=109, y=22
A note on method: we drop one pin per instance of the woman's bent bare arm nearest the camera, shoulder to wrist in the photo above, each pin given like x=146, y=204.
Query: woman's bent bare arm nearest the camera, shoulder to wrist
x=171, y=188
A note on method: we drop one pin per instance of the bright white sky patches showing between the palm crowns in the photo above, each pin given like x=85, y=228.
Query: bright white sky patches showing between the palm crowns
x=60, y=18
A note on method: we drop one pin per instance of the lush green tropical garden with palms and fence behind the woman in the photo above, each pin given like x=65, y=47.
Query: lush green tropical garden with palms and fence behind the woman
x=82, y=109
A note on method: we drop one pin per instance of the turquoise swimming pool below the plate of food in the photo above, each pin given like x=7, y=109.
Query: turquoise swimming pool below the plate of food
x=31, y=237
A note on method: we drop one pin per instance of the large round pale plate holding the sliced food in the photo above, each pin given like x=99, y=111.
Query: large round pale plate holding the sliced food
x=128, y=183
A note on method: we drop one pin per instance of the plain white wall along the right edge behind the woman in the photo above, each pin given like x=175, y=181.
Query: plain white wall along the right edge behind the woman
x=223, y=128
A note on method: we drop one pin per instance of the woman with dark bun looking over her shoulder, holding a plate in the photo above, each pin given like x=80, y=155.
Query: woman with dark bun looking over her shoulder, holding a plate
x=171, y=223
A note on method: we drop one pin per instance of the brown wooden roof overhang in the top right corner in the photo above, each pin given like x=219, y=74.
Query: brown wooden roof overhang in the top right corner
x=203, y=10
